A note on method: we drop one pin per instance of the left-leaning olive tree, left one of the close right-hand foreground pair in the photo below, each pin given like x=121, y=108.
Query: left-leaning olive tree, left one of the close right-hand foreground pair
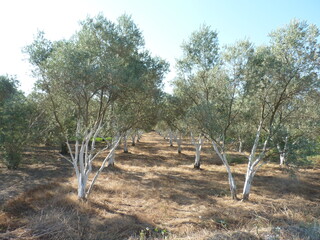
x=211, y=93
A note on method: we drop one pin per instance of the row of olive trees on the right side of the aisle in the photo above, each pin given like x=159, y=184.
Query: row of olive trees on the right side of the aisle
x=258, y=96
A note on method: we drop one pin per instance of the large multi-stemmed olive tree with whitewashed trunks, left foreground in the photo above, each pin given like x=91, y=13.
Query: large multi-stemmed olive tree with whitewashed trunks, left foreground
x=85, y=77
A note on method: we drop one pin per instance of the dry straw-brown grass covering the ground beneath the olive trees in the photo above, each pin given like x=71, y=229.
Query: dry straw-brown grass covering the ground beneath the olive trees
x=154, y=193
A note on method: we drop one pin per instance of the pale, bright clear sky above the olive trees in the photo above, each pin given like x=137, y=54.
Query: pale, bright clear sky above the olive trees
x=165, y=24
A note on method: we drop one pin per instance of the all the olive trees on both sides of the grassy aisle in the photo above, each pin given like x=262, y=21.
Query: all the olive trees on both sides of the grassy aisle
x=102, y=82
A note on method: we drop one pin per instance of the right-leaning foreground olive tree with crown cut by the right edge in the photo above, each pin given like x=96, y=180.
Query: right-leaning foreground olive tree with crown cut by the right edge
x=280, y=73
